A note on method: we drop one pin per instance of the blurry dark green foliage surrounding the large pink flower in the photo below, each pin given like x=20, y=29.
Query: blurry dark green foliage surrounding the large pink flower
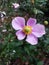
x=10, y=47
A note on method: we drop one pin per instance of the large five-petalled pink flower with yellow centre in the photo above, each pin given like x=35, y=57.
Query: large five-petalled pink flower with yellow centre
x=32, y=30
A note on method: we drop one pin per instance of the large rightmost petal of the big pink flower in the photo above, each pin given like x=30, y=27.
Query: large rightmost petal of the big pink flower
x=38, y=30
